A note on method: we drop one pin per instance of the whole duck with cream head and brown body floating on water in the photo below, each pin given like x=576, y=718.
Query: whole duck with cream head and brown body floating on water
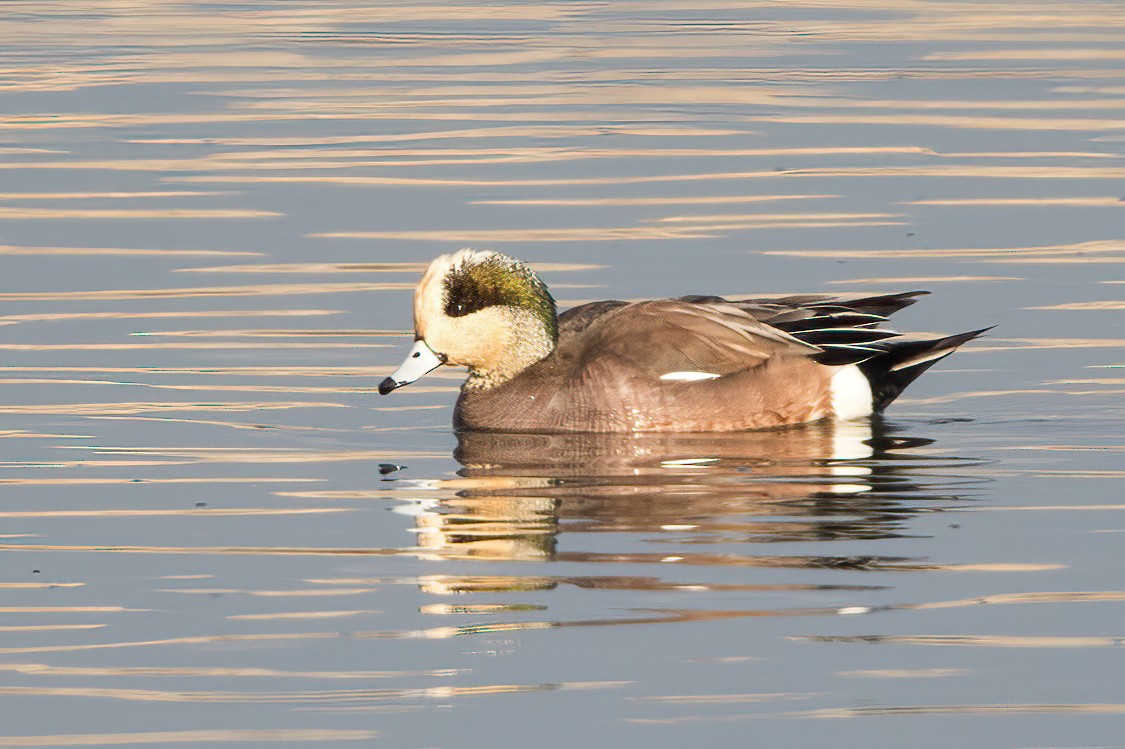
x=692, y=364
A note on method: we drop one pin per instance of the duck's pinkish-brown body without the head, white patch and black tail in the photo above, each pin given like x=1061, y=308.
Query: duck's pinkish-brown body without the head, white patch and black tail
x=606, y=375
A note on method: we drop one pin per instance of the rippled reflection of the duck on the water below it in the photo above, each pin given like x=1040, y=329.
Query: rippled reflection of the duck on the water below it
x=700, y=493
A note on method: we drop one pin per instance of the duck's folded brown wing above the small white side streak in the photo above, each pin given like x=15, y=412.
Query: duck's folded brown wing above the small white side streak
x=680, y=340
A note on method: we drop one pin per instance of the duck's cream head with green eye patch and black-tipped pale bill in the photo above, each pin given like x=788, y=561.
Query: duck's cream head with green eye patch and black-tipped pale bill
x=480, y=310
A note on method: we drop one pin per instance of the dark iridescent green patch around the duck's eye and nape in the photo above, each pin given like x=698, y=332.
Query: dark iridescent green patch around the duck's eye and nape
x=498, y=281
